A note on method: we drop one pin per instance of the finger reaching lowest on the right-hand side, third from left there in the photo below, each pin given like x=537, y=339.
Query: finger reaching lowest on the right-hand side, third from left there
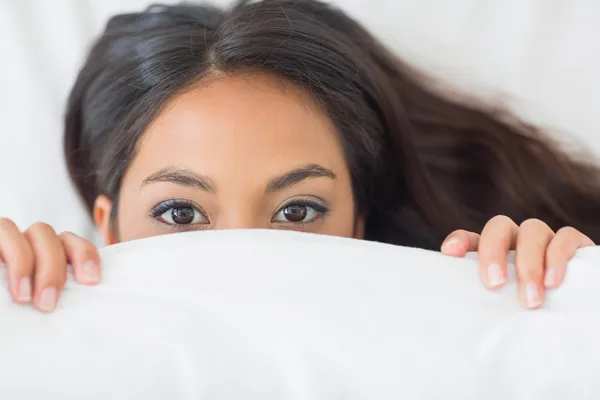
x=534, y=238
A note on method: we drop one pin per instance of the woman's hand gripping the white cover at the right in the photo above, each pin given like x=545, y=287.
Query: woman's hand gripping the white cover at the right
x=541, y=254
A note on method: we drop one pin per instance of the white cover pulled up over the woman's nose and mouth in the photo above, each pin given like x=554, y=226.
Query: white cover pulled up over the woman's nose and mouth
x=274, y=315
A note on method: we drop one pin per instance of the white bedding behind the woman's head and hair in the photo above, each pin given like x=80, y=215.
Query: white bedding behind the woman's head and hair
x=541, y=57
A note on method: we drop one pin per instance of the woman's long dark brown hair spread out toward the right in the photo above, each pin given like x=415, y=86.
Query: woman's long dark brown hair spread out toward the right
x=422, y=163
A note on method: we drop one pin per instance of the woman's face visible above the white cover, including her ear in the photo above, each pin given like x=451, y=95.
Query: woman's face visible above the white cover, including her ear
x=237, y=152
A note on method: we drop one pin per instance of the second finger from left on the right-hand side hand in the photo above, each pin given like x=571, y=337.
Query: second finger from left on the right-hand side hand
x=497, y=238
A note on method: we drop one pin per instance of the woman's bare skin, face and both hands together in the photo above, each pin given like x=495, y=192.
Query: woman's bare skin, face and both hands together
x=278, y=165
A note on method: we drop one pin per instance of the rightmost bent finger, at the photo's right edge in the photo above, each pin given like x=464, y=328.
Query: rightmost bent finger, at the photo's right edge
x=560, y=250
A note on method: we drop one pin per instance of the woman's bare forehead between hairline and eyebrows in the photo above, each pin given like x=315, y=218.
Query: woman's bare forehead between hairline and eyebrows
x=249, y=123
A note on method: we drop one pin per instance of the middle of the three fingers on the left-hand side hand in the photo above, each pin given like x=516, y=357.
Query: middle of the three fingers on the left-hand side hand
x=50, y=266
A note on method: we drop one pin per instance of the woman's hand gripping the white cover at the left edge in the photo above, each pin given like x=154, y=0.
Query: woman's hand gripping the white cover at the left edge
x=37, y=260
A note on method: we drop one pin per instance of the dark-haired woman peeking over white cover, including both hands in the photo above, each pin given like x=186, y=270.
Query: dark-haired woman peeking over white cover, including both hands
x=288, y=114
